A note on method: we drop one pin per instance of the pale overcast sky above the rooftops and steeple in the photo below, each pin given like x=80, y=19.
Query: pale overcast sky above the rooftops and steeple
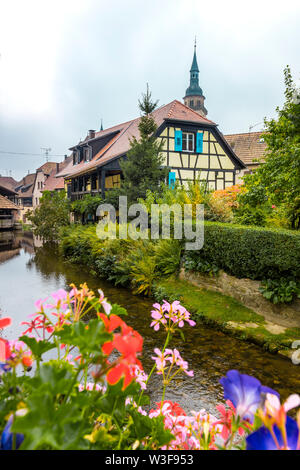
x=65, y=64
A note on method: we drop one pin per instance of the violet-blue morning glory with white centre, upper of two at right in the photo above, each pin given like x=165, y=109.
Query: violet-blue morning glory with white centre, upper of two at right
x=245, y=392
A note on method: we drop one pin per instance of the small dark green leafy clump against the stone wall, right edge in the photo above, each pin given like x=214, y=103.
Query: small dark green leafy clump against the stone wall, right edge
x=281, y=290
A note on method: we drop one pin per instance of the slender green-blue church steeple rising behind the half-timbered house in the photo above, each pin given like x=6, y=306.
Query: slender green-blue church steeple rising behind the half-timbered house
x=194, y=97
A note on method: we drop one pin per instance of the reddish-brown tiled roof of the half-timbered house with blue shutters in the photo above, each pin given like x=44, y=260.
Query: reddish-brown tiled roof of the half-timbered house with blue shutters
x=120, y=143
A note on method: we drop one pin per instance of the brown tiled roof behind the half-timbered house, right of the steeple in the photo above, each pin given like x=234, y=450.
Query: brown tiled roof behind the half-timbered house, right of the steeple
x=247, y=146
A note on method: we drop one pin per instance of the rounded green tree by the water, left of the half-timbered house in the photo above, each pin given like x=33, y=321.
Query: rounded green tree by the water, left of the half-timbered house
x=51, y=214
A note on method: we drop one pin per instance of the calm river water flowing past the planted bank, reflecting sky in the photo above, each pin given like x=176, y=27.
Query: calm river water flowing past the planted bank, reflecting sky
x=28, y=273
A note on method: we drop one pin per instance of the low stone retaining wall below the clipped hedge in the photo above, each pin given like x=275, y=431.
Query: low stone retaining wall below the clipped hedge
x=247, y=292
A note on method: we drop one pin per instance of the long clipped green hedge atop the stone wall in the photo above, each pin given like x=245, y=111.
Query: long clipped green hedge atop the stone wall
x=252, y=252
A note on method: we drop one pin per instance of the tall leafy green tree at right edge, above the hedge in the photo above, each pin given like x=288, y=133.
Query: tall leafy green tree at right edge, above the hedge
x=278, y=179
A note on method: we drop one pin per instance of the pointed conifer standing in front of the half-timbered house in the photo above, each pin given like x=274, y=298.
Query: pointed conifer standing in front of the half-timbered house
x=142, y=170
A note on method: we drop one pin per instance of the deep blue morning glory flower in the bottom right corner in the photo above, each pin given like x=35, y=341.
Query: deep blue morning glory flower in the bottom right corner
x=262, y=439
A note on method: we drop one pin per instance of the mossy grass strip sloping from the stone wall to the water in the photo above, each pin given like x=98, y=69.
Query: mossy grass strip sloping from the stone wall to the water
x=231, y=317
